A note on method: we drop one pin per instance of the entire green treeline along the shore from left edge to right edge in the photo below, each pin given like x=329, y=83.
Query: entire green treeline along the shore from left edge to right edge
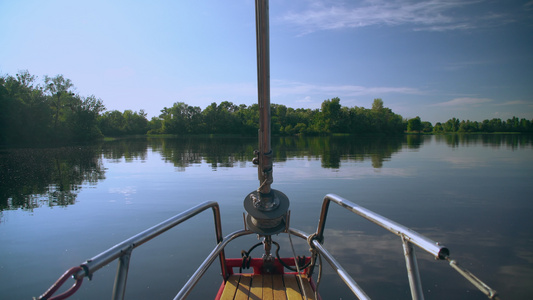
x=51, y=112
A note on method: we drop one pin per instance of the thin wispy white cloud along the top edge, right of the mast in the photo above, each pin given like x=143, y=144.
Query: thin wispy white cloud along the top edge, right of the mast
x=432, y=15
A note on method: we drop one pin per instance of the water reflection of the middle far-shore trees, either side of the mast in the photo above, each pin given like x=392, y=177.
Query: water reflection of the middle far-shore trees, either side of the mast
x=233, y=151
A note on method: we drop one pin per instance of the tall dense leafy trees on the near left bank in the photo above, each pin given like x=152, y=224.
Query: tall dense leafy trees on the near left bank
x=47, y=113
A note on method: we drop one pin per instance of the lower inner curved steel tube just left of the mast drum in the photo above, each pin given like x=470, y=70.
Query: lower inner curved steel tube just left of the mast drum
x=186, y=289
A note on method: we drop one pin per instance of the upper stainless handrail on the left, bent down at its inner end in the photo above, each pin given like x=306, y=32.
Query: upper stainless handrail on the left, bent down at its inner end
x=104, y=258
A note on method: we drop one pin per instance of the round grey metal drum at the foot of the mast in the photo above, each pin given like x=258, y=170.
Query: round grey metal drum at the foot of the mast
x=266, y=214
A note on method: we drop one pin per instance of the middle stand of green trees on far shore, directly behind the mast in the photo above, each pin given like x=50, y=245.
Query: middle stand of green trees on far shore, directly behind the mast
x=227, y=117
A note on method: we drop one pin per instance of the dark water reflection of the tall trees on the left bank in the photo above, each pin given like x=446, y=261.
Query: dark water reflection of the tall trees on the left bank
x=30, y=178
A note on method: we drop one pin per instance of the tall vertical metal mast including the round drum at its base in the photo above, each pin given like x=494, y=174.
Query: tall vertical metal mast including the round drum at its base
x=267, y=208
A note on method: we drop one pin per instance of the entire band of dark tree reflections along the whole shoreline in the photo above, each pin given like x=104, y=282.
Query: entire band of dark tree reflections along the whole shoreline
x=34, y=177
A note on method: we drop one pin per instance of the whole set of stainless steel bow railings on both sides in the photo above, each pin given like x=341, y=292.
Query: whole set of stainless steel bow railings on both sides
x=123, y=250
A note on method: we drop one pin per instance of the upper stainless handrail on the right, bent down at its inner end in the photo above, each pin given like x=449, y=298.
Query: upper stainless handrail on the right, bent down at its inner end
x=432, y=247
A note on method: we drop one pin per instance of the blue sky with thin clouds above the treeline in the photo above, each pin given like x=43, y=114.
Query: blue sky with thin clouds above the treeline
x=434, y=59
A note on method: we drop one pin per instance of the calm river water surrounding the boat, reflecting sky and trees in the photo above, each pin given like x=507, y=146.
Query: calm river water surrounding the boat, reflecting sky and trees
x=473, y=193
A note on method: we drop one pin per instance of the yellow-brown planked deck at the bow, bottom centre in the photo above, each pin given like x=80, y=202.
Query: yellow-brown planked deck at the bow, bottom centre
x=257, y=287
